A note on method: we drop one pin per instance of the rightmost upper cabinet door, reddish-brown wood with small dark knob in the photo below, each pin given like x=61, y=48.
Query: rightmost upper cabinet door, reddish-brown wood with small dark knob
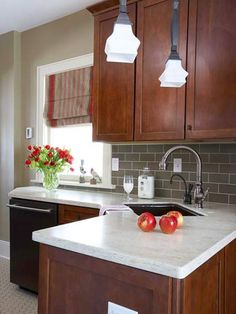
x=211, y=91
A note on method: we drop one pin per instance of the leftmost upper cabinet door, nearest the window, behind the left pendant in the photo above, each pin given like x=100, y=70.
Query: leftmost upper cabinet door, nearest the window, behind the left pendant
x=113, y=111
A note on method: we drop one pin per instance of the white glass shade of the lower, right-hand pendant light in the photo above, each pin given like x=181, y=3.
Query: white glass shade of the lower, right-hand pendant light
x=174, y=74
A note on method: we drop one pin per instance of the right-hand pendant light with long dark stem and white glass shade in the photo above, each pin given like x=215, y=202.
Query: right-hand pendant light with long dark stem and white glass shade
x=174, y=75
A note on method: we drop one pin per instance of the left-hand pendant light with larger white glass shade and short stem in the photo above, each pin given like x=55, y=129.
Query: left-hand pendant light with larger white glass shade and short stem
x=122, y=45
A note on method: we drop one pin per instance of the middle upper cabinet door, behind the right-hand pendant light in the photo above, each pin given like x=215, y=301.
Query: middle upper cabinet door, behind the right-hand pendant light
x=160, y=112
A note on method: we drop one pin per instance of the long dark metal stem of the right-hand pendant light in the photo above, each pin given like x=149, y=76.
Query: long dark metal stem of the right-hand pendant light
x=175, y=31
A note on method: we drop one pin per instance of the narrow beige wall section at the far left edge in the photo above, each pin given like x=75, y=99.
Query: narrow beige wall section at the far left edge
x=9, y=121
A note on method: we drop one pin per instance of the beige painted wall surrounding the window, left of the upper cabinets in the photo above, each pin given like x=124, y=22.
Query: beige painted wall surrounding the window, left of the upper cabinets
x=20, y=55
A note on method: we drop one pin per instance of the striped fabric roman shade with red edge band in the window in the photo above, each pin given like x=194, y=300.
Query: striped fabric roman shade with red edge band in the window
x=69, y=97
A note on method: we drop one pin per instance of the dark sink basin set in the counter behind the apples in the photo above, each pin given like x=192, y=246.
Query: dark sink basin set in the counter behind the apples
x=161, y=209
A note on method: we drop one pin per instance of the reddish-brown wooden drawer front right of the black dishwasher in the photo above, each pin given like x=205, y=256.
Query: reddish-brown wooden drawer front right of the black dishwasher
x=68, y=213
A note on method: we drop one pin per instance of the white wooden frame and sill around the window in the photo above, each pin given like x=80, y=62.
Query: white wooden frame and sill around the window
x=41, y=131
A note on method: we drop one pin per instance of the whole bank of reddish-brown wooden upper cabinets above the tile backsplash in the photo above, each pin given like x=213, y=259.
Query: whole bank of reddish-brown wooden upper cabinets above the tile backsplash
x=202, y=109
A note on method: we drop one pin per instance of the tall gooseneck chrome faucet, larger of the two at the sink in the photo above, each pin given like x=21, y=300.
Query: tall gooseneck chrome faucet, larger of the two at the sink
x=199, y=194
